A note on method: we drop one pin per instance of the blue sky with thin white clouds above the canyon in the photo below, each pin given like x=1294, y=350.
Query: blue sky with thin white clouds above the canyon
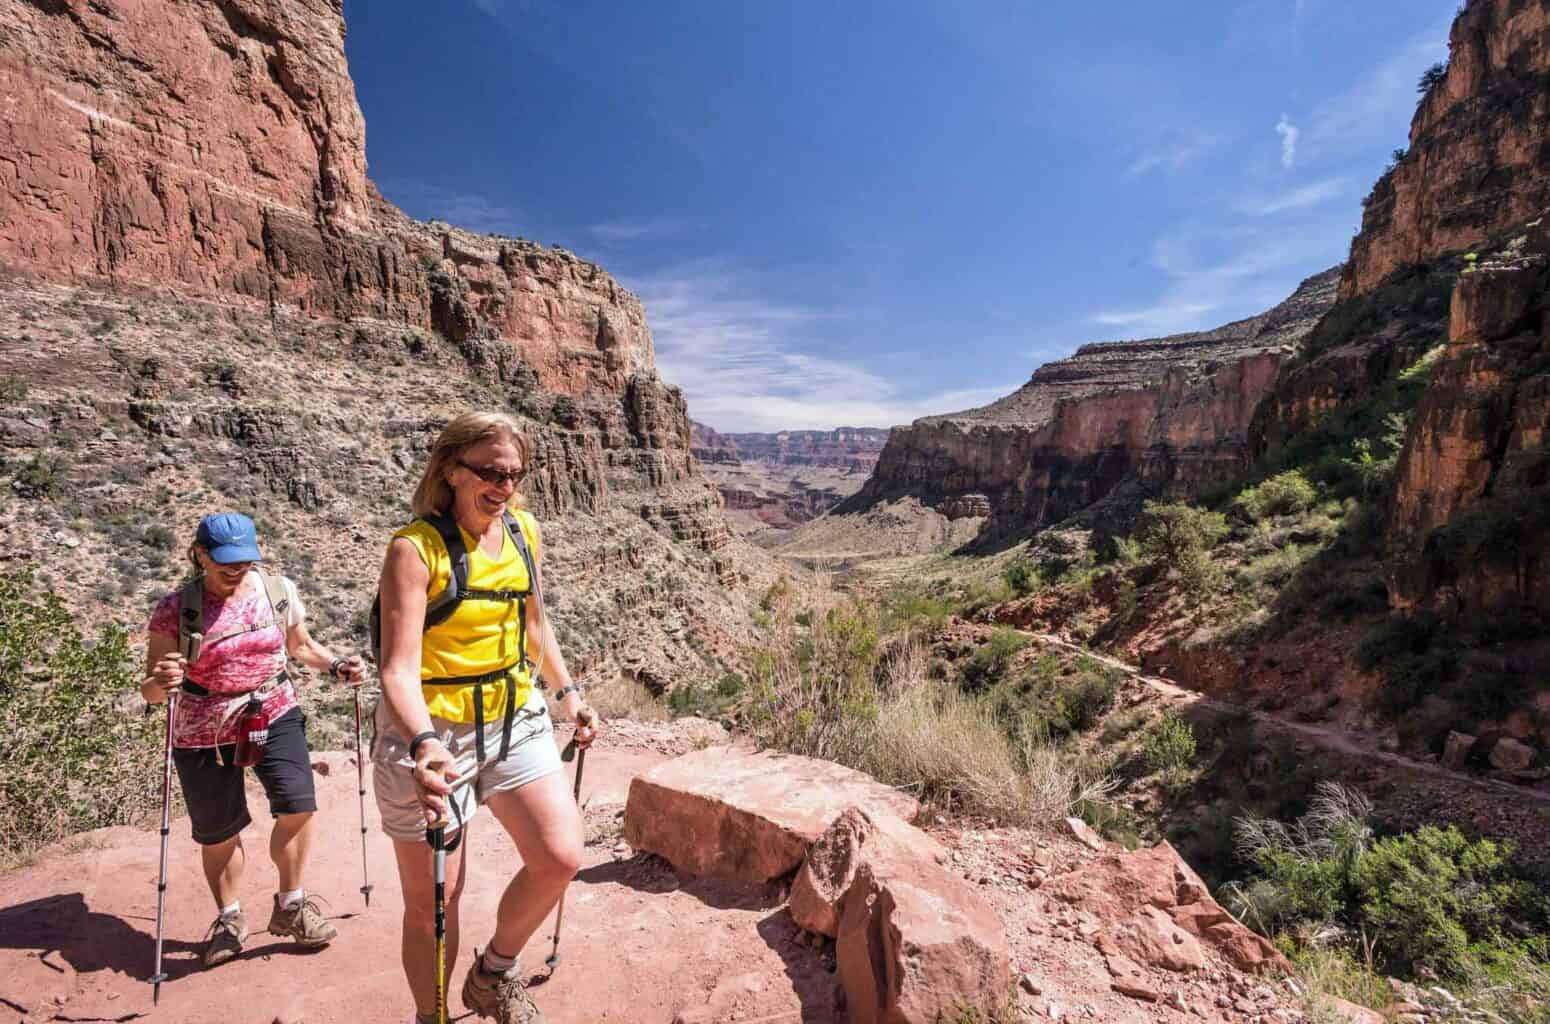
x=866, y=211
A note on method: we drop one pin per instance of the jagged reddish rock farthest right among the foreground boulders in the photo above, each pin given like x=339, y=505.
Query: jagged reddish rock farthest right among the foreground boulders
x=1159, y=913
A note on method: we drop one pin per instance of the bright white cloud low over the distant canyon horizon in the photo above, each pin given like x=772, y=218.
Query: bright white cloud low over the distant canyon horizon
x=753, y=365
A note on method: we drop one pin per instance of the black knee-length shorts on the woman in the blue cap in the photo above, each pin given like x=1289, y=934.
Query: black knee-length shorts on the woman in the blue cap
x=215, y=792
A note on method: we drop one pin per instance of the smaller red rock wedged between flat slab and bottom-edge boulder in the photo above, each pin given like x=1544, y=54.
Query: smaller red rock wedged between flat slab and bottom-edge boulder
x=856, y=837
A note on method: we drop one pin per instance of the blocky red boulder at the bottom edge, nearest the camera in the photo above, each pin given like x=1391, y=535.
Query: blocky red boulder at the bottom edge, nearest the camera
x=918, y=946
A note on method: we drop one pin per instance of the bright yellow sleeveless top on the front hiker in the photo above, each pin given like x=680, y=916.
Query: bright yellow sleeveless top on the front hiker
x=480, y=636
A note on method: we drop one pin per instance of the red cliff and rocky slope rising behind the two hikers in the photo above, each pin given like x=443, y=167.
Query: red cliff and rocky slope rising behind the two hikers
x=207, y=300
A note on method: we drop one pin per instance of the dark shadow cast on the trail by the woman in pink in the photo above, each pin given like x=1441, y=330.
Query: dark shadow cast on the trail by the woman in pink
x=64, y=929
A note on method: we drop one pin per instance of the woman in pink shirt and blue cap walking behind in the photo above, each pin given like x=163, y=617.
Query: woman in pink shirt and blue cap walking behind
x=222, y=642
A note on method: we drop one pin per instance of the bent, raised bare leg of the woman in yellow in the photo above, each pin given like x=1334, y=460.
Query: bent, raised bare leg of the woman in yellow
x=545, y=823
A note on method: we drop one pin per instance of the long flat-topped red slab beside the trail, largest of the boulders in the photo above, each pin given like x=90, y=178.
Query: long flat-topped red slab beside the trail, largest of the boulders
x=732, y=813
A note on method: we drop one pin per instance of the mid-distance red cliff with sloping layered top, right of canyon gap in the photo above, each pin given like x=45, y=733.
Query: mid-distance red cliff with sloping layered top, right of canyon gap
x=1174, y=413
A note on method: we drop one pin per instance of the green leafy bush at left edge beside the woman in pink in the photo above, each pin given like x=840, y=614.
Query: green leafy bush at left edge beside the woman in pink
x=81, y=751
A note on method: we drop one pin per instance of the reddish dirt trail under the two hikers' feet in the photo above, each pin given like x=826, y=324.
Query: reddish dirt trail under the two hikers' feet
x=639, y=944
